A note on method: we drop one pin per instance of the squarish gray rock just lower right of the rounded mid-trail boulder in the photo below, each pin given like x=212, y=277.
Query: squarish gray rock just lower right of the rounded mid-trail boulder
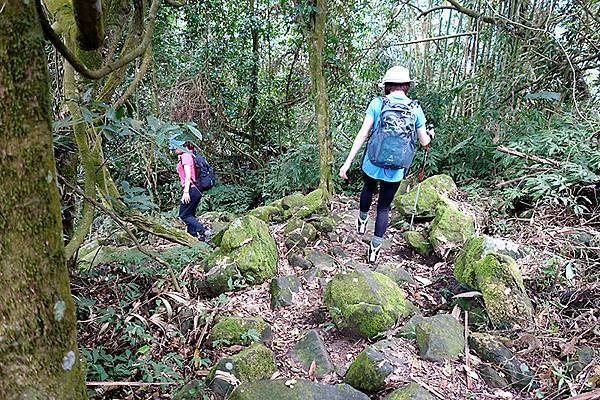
x=440, y=337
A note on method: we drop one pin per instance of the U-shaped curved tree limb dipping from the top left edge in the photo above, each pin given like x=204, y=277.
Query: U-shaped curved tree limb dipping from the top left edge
x=110, y=67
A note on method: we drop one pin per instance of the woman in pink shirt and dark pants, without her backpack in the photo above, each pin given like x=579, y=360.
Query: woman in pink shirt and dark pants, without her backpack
x=186, y=169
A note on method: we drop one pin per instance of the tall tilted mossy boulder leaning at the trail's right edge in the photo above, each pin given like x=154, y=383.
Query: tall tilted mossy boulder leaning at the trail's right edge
x=499, y=280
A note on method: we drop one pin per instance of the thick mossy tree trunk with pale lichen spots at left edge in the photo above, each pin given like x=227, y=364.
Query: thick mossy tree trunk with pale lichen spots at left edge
x=38, y=343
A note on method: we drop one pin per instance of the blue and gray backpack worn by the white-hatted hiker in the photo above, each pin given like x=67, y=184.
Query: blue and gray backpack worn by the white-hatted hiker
x=392, y=142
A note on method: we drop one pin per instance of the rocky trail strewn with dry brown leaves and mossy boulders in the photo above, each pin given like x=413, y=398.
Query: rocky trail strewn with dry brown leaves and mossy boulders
x=301, y=312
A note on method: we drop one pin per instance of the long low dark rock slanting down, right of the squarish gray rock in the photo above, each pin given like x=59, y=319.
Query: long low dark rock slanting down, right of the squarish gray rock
x=490, y=349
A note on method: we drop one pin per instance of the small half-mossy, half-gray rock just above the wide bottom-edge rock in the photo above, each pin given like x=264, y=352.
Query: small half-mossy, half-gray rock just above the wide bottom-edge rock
x=369, y=370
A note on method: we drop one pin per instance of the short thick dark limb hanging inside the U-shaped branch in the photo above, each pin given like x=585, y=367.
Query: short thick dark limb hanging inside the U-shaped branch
x=90, y=23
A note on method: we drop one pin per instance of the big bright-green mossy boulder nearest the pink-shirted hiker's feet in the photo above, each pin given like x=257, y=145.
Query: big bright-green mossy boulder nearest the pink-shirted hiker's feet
x=248, y=250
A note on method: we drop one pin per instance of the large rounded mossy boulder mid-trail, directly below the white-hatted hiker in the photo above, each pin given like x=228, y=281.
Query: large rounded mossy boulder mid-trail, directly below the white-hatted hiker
x=365, y=303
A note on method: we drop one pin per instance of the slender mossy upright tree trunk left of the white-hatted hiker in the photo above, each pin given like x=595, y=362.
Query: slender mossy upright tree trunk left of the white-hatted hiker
x=316, y=41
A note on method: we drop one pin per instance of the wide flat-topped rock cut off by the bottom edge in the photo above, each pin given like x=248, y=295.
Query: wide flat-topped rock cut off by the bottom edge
x=296, y=389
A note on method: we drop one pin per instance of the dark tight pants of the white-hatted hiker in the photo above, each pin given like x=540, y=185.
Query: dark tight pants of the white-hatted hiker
x=387, y=191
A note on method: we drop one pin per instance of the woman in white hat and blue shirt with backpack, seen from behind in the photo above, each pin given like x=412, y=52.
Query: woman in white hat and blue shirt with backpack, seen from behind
x=392, y=123
